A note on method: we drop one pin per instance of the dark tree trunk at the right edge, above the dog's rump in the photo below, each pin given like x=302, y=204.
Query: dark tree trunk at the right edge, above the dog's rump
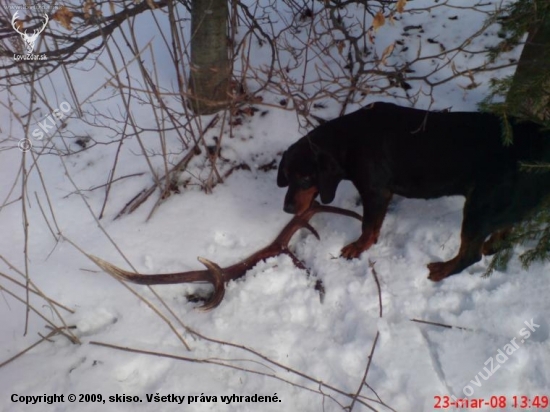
x=530, y=89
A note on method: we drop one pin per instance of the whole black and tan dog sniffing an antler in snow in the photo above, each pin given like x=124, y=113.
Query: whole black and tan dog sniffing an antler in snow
x=385, y=149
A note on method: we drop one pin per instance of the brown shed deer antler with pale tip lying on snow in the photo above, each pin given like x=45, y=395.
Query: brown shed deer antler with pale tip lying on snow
x=218, y=276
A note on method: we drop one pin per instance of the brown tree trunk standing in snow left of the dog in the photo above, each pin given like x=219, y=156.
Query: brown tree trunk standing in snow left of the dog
x=210, y=68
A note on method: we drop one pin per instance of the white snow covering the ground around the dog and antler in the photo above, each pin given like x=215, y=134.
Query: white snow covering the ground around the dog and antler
x=273, y=333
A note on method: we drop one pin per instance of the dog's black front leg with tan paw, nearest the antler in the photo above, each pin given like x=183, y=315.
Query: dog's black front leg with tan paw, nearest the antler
x=375, y=206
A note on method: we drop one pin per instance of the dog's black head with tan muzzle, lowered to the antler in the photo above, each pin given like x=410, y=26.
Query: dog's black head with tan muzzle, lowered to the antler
x=308, y=170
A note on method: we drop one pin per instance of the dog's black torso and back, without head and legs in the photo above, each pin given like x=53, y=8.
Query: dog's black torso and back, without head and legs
x=431, y=154
